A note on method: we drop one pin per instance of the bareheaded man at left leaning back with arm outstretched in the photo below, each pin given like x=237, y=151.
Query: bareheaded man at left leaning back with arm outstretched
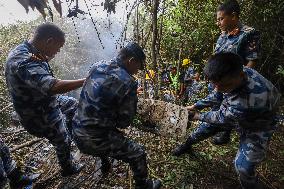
x=34, y=90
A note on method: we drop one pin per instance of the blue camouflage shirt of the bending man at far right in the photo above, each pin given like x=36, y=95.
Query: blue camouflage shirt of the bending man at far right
x=252, y=106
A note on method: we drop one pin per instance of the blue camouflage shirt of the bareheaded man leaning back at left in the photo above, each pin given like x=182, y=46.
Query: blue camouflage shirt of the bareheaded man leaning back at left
x=29, y=79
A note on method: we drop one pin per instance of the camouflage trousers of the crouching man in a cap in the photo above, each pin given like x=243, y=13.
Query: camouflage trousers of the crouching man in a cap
x=113, y=144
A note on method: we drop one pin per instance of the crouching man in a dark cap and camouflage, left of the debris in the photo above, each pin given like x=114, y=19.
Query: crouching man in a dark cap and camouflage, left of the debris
x=108, y=103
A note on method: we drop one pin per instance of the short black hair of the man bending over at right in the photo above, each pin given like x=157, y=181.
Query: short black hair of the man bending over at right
x=223, y=64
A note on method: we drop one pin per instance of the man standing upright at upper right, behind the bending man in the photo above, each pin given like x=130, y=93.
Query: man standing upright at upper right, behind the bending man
x=237, y=38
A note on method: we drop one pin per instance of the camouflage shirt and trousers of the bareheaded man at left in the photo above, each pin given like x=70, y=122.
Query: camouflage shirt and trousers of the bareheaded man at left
x=42, y=114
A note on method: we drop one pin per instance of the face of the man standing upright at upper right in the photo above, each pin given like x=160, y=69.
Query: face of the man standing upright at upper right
x=225, y=21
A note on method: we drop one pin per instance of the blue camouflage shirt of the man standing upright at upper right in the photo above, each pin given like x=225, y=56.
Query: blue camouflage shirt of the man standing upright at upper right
x=244, y=42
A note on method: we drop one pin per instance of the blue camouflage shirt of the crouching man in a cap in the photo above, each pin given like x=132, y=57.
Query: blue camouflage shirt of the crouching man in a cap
x=108, y=99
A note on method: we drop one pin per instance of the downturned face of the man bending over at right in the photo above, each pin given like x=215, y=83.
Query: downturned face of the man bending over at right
x=228, y=83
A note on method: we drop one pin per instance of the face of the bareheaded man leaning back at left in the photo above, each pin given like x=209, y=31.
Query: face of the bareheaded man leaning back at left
x=53, y=46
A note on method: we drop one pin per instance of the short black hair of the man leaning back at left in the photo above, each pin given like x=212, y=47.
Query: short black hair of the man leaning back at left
x=48, y=30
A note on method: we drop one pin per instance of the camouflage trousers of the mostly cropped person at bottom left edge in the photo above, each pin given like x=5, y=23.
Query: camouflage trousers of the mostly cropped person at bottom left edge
x=7, y=164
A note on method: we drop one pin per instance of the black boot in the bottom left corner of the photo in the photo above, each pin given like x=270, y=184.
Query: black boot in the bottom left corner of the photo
x=19, y=180
